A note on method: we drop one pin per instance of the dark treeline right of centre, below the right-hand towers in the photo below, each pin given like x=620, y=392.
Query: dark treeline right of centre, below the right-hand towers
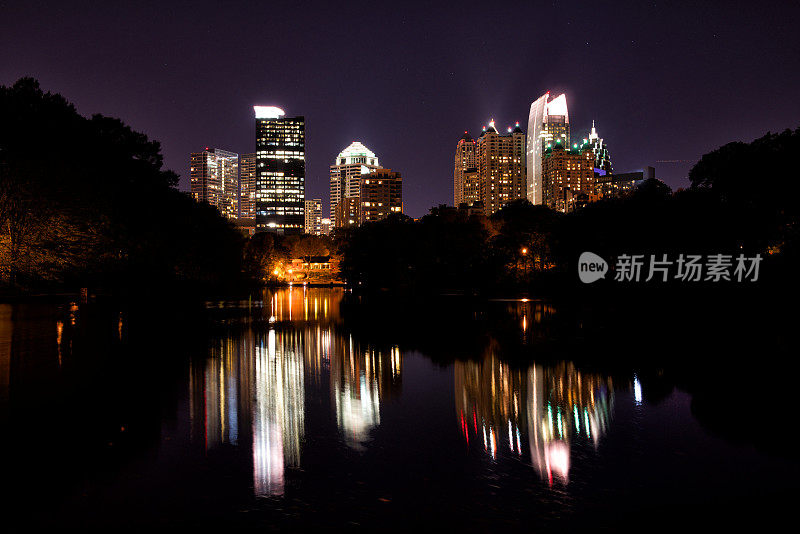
x=743, y=199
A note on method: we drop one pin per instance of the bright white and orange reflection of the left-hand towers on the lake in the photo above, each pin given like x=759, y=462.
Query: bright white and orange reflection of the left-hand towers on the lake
x=251, y=389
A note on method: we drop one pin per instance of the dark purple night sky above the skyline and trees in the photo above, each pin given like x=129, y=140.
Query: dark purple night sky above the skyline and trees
x=664, y=81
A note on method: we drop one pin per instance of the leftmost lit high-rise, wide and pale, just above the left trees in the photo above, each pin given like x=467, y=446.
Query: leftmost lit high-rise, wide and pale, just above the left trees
x=214, y=179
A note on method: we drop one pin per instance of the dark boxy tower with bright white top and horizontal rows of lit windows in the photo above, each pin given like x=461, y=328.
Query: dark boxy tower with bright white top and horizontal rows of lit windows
x=280, y=171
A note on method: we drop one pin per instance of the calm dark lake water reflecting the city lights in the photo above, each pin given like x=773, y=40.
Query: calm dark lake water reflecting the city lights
x=289, y=410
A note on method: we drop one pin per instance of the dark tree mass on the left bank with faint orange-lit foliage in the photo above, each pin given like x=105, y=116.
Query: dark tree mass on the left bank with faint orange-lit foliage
x=86, y=202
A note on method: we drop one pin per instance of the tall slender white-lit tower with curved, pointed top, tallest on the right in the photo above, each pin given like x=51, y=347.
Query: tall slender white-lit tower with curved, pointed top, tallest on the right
x=548, y=122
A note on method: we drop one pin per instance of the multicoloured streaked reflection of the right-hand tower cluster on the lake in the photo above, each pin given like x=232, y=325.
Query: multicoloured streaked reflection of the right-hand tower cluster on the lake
x=549, y=407
